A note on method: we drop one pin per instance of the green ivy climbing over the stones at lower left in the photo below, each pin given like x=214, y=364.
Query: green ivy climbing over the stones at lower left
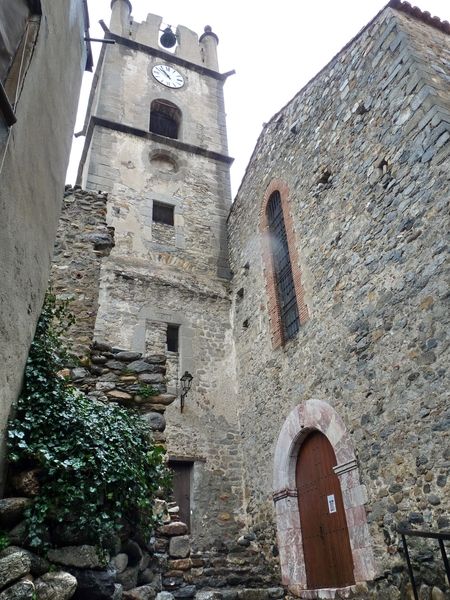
x=99, y=470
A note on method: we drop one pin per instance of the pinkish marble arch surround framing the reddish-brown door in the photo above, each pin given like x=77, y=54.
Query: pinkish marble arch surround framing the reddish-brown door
x=317, y=415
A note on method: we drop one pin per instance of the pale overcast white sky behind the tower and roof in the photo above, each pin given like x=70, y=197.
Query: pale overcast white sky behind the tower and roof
x=275, y=48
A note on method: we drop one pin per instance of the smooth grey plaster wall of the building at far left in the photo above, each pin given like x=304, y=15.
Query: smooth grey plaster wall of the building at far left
x=32, y=183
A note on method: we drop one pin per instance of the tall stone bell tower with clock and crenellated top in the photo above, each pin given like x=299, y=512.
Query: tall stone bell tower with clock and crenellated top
x=156, y=142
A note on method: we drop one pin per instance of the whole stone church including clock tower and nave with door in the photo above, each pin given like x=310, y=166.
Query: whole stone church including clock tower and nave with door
x=311, y=312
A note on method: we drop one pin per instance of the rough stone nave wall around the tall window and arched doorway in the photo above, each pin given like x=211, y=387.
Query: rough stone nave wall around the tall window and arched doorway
x=363, y=151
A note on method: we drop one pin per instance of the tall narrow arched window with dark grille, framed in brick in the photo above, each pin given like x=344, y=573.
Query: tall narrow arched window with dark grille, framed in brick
x=282, y=268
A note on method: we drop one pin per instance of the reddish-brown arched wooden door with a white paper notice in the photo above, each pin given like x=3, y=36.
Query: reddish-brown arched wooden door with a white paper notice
x=326, y=545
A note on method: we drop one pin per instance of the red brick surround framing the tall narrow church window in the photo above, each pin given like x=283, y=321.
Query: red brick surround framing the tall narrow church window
x=275, y=314
